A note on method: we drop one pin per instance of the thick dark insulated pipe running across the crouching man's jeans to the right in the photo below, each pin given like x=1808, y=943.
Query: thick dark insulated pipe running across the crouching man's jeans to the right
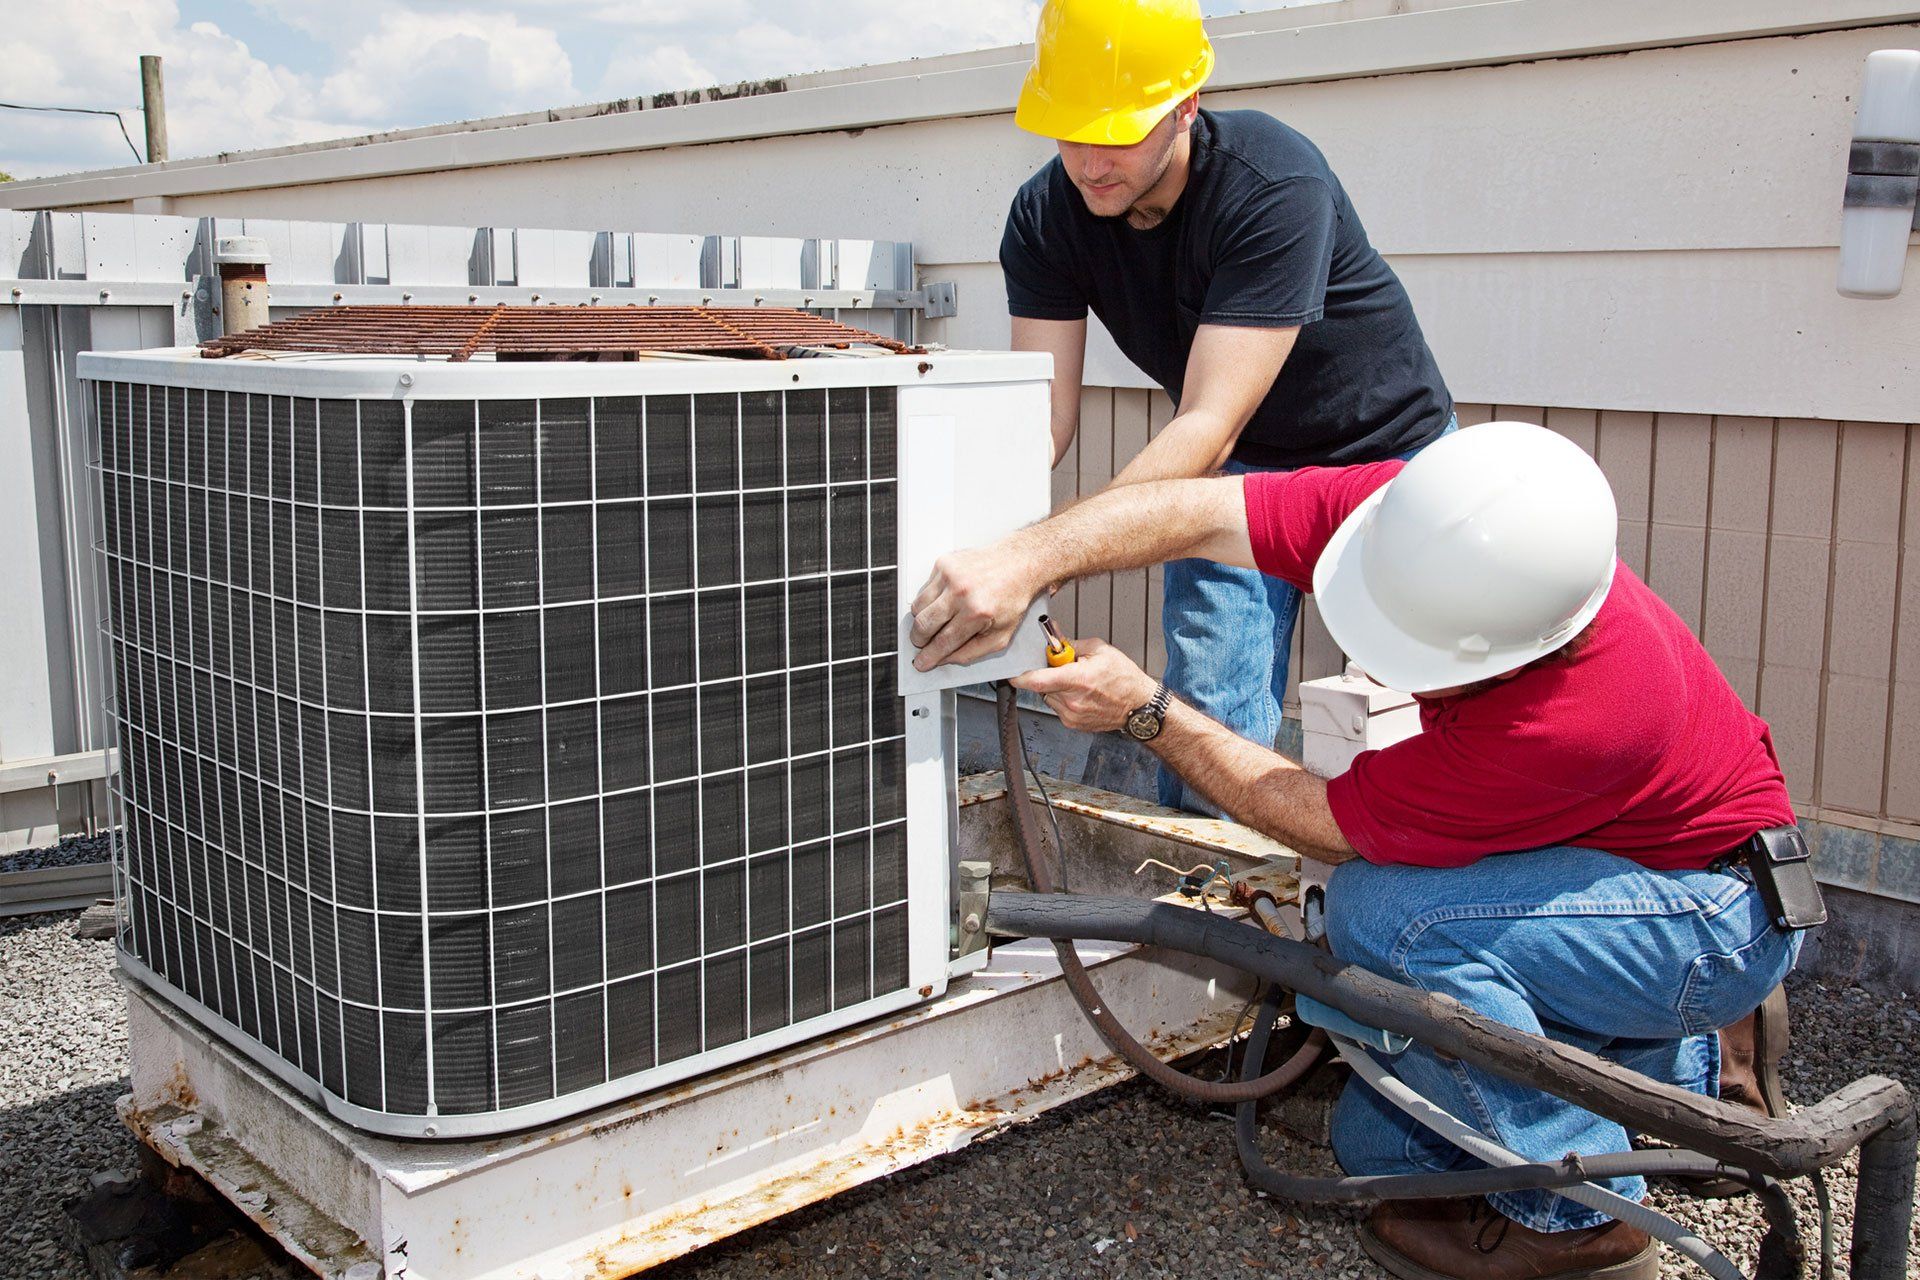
x=1873, y=1114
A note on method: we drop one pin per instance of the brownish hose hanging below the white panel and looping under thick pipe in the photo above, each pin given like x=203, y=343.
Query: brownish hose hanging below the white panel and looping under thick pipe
x=1116, y=1037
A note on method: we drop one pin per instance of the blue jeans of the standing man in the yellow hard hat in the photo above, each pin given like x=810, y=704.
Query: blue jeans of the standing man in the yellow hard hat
x=1230, y=632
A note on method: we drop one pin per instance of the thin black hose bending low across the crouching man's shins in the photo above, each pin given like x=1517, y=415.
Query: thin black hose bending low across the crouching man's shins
x=1783, y=1252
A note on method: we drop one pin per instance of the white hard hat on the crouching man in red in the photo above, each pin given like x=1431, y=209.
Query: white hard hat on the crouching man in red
x=1491, y=550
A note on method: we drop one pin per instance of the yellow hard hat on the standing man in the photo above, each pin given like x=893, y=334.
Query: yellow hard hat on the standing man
x=1111, y=70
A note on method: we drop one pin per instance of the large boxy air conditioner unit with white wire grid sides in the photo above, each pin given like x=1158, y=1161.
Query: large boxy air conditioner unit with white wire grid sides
x=502, y=740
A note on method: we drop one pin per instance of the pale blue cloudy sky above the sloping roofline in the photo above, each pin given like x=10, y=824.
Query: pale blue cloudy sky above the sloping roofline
x=251, y=74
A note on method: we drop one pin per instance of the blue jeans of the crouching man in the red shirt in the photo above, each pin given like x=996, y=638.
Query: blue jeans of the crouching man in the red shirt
x=1570, y=943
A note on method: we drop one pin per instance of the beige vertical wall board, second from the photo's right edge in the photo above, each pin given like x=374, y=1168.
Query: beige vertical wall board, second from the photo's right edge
x=1860, y=657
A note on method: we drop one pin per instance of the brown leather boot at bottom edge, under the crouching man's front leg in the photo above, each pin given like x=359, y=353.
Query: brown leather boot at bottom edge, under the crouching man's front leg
x=1472, y=1241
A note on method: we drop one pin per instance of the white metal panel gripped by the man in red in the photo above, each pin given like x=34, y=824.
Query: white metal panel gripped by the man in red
x=974, y=467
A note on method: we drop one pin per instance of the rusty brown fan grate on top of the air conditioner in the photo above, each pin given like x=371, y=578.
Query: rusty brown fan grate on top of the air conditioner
x=552, y=333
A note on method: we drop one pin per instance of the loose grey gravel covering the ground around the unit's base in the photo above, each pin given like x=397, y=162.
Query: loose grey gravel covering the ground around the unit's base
x=1130, y=1183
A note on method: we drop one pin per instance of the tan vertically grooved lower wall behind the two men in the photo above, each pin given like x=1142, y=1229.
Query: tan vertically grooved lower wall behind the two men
x=1783, y=542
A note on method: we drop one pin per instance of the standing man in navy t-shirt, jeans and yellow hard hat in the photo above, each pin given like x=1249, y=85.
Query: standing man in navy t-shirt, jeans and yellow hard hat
x=1228, y=264
